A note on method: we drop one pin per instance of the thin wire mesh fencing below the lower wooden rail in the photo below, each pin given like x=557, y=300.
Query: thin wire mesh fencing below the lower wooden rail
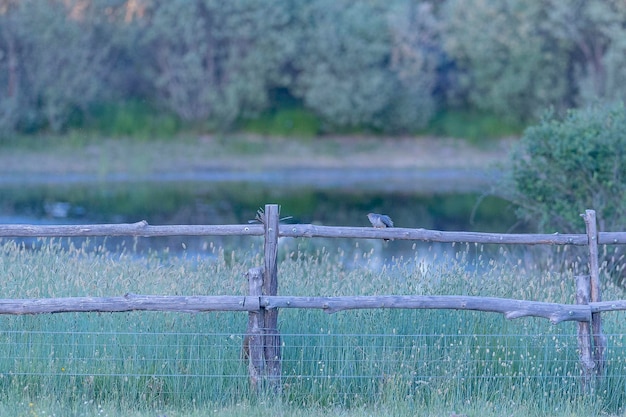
x=193, y=367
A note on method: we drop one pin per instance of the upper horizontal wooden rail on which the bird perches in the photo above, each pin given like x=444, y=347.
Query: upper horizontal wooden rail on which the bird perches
x=143, y=229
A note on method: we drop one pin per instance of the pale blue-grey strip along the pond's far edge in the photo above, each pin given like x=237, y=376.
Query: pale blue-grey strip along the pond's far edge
x=401, y=179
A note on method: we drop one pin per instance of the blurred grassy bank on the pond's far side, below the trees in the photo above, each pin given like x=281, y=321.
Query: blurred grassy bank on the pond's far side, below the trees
x=99, y=157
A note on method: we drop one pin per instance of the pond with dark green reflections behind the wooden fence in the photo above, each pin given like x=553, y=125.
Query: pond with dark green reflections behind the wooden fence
x=434, y=199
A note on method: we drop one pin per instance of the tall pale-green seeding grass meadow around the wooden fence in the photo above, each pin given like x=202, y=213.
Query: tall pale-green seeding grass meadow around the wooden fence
x=358, y=363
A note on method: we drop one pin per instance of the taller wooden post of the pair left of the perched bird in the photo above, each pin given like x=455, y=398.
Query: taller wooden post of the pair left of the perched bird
x=270, y=287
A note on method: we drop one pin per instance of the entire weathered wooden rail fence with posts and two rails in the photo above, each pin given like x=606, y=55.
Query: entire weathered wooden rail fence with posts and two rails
x=262, y=341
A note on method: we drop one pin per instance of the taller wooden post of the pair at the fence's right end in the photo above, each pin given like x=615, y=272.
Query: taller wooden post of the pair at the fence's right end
x=599, y=340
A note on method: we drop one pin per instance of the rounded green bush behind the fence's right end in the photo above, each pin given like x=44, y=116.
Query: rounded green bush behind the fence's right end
x=563, y=166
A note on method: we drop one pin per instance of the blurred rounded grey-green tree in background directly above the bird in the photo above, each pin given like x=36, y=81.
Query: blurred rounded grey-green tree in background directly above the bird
x=367, y=64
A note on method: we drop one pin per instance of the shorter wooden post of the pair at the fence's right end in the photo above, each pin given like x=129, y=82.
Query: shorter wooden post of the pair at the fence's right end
x=585, y=351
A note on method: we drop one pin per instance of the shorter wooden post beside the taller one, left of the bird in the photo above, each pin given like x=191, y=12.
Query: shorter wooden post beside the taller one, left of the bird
x=254, y=341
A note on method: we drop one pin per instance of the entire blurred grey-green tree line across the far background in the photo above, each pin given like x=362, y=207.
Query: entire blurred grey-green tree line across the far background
x=388, y=65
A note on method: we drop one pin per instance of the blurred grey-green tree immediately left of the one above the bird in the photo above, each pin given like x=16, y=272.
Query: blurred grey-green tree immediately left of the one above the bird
x=210, y=59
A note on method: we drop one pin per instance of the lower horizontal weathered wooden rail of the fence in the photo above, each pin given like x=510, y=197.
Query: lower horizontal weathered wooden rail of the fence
x=511, y=308
